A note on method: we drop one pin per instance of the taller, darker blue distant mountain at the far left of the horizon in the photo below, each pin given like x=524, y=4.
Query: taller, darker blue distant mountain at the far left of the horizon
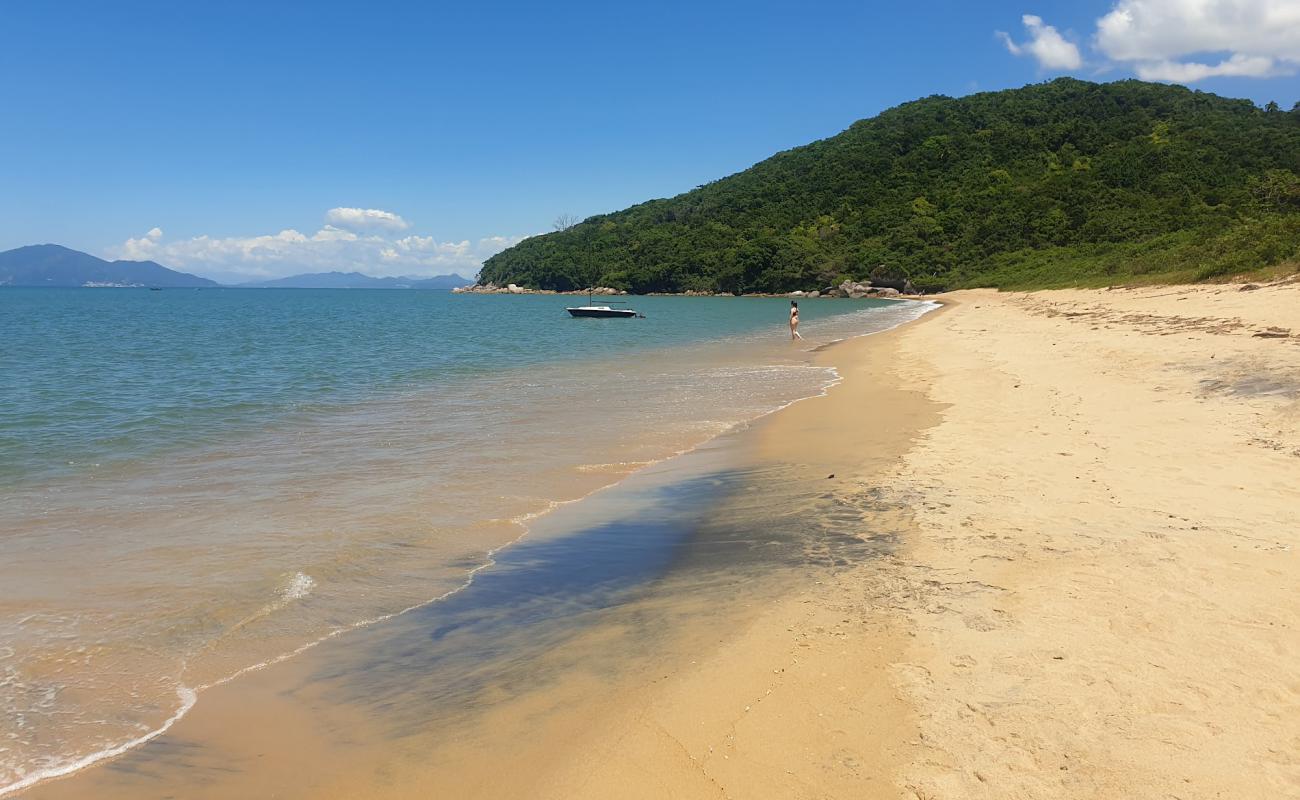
x=57, y=266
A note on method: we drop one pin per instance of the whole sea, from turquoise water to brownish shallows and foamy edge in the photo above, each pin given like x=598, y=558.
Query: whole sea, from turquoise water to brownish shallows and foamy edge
x=200, y=483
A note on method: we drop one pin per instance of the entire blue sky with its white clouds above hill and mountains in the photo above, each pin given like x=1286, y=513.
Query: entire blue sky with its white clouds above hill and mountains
x=244, y=141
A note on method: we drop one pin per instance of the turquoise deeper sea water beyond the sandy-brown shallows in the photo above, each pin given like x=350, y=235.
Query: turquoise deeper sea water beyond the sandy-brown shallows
x=90, y=377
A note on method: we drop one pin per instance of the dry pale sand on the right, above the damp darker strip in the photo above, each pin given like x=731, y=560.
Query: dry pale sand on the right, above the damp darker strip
x=1107, y=598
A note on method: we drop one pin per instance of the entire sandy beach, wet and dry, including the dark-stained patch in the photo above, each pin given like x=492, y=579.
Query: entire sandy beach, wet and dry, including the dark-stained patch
x=1032, y=547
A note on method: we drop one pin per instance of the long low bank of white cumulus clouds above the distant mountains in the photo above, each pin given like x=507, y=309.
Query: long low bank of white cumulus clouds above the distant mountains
x=333, y=248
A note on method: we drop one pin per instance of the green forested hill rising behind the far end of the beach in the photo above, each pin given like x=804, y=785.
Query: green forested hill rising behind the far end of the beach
x=1056, y=184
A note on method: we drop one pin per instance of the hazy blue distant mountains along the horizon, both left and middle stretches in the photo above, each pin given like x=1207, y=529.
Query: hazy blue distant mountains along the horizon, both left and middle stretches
x=58, y=266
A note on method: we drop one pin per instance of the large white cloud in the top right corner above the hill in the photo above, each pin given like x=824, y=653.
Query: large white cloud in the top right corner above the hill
x=1162, y=38
